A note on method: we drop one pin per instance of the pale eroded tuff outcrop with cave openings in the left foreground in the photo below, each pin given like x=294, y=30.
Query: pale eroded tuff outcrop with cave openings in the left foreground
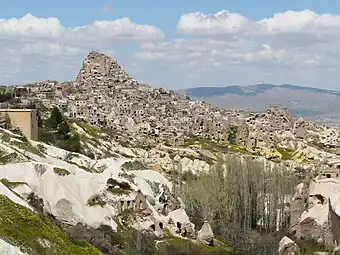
x=89, y=204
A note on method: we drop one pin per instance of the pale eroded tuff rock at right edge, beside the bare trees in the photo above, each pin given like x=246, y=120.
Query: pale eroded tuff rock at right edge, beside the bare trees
x=315, y=211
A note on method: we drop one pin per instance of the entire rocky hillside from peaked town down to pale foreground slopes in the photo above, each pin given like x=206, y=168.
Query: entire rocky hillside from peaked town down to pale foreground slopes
x=156, y=165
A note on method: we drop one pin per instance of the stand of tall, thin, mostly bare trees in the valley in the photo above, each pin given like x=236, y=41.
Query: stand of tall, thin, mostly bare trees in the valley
x=232, y=197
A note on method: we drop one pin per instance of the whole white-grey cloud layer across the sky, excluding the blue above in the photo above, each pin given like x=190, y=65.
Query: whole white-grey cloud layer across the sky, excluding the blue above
x=300, y=47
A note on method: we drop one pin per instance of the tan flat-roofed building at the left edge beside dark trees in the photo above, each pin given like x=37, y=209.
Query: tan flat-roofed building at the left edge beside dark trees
x=25, y=119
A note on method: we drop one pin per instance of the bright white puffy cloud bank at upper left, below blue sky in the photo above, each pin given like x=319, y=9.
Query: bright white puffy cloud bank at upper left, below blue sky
x=30, y=26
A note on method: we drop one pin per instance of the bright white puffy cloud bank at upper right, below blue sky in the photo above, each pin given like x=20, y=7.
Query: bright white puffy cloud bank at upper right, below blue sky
x=289, y=22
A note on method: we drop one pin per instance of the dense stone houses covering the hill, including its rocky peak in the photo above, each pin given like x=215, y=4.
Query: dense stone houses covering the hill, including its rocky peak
x=103, y=94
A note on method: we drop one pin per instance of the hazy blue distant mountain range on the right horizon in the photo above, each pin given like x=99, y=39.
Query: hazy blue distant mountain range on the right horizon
x=313, y=103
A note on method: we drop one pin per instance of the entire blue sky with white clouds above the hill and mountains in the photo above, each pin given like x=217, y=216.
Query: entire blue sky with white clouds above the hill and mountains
x=175, y=44
